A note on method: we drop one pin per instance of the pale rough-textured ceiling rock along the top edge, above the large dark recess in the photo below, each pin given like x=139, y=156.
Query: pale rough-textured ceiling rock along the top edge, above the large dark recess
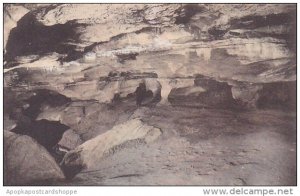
x=112, y=19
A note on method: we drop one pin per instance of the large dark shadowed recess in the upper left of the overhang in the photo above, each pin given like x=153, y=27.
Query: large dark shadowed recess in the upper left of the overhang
x=31, y=37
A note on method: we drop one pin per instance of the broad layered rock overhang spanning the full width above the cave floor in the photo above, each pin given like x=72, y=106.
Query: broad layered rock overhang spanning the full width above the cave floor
x=161, y=45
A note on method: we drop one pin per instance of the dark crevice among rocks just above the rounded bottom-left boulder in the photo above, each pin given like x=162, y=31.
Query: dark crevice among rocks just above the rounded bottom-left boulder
x=27, y=106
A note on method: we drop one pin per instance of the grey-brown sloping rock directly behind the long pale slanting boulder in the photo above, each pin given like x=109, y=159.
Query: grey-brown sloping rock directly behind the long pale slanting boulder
x=89, y=118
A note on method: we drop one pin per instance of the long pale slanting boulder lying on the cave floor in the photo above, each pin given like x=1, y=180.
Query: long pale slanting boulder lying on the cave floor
x=89, y=154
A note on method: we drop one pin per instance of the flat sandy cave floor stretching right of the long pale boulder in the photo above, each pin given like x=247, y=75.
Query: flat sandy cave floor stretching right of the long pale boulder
x=204, y=147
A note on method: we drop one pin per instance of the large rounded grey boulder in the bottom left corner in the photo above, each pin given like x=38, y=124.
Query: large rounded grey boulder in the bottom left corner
x=27, y=162
